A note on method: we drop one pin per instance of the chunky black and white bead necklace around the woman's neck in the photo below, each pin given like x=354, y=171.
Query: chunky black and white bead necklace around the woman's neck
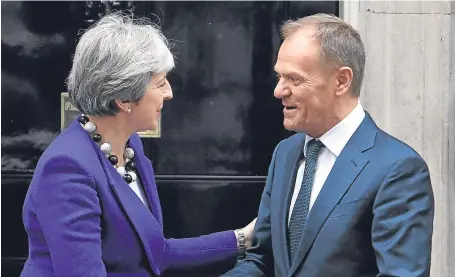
x=128, y=172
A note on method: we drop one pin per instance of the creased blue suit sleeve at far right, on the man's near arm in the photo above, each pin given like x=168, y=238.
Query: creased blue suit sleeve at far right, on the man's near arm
x=403, y=221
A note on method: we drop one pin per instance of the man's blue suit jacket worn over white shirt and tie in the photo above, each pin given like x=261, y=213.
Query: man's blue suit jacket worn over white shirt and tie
x=373, y=216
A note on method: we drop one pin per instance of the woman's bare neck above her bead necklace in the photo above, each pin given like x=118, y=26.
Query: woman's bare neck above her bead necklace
x=114, y=131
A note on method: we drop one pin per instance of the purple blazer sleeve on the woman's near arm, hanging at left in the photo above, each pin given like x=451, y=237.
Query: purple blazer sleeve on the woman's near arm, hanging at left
x=68, y=211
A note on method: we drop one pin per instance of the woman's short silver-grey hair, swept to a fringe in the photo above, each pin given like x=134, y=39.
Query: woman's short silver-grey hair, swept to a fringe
x=115, y=60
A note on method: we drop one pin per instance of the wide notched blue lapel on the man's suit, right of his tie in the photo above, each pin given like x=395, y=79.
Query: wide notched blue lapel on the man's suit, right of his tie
x=347, y=167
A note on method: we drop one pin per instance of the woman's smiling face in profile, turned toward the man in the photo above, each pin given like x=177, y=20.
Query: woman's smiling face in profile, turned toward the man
x=147, y=111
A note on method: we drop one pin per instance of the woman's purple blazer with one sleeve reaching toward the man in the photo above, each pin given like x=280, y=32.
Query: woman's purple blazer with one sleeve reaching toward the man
x=83, y=219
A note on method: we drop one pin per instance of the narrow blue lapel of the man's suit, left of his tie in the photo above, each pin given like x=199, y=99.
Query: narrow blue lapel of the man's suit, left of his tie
x=291, y=158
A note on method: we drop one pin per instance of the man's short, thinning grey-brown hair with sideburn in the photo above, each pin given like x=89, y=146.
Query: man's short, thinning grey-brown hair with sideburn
x=340, y=43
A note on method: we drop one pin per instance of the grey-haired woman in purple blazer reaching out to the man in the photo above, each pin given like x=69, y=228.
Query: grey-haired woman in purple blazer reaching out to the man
x=92, y=208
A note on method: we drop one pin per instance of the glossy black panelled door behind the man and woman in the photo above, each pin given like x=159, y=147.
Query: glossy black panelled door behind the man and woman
x=217, y=134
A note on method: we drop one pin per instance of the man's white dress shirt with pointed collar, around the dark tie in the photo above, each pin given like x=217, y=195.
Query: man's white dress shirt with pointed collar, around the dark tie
x=334, y=141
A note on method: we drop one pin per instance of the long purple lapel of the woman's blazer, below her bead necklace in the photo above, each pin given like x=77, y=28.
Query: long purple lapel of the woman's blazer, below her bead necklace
x=132, y=206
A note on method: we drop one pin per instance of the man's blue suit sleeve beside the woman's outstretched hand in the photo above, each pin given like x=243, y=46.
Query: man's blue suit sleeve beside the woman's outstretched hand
x=259, y=258
